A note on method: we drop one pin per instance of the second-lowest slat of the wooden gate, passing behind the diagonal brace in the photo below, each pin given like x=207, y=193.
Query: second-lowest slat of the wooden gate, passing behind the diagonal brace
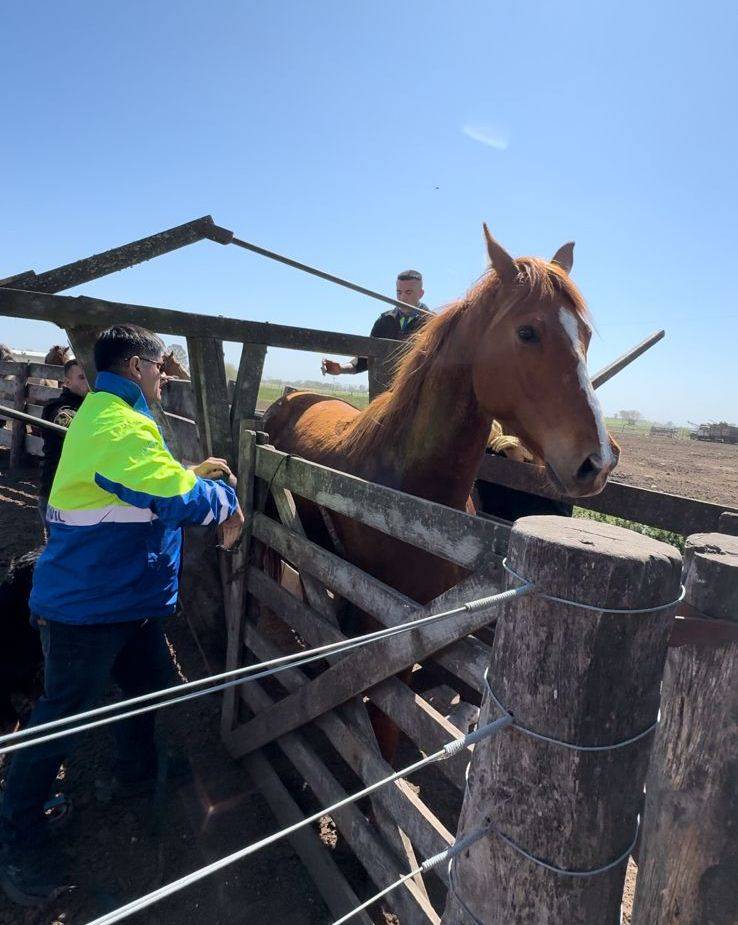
x=359, y=833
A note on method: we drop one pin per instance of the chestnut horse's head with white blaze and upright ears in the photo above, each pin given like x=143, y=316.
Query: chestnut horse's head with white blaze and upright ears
x=529, y=367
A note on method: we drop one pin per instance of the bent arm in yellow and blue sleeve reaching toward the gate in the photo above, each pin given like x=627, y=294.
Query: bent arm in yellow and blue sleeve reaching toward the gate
x=141, y=472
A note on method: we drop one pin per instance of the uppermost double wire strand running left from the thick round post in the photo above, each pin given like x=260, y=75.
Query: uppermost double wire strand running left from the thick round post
x=236, y=676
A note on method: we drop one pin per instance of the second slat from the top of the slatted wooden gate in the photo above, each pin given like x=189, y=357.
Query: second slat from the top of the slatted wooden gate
x=465, y=658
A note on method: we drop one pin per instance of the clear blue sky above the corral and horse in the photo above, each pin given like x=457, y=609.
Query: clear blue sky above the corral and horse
x=367, y=138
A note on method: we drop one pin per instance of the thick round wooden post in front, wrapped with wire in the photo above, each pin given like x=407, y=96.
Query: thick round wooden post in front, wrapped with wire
x=580, y=676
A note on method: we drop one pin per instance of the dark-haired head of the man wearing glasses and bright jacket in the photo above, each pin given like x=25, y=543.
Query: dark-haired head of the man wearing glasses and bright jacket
x=132, y=352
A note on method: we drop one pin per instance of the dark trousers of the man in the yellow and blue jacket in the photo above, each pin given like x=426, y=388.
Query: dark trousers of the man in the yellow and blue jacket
x=79, y=661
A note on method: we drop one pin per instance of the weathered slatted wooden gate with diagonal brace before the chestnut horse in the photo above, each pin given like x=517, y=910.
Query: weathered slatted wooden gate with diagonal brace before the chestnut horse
x=333, y=699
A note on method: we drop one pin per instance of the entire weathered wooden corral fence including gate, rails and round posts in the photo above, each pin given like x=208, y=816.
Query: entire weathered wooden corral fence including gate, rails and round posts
x=583, y=676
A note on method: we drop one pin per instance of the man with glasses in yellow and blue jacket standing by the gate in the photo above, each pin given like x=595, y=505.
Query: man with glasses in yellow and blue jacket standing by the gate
x=102, y=587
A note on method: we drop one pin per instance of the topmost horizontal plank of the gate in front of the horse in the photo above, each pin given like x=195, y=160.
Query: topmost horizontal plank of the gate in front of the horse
x=443, y=531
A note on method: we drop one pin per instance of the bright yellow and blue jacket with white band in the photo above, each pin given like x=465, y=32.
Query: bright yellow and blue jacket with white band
x=115, y=510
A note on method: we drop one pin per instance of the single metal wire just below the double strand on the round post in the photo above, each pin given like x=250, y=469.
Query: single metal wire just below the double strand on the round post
x=143, y=902
